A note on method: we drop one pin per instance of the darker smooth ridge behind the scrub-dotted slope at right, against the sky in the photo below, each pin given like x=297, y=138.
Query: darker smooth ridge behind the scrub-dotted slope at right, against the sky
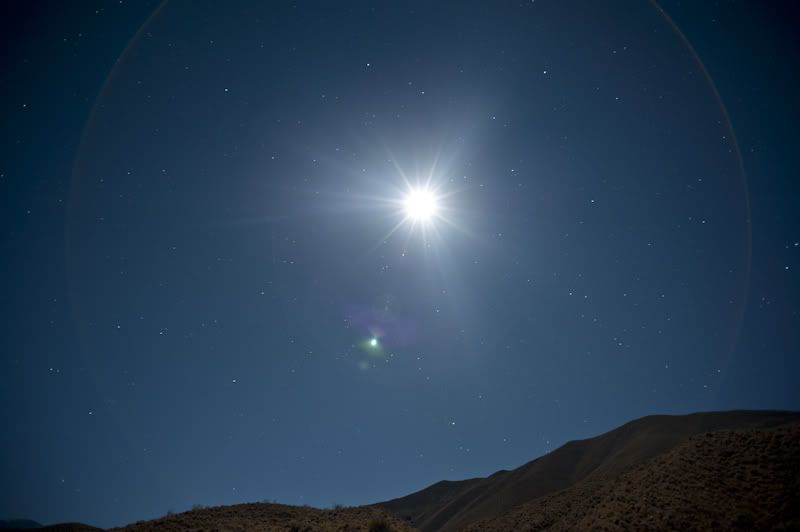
x=451, y=506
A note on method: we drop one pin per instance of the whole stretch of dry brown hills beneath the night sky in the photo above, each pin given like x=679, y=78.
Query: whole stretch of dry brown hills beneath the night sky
x=708, y=471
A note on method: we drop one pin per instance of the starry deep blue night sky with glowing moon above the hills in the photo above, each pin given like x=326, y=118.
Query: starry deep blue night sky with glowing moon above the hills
x=213, y=291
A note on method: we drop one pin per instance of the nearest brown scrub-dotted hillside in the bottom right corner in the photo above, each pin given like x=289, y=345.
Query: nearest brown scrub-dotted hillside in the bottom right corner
x=726, y=480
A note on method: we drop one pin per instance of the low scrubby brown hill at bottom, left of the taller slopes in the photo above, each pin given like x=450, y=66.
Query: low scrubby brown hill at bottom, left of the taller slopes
x=274, y=517
